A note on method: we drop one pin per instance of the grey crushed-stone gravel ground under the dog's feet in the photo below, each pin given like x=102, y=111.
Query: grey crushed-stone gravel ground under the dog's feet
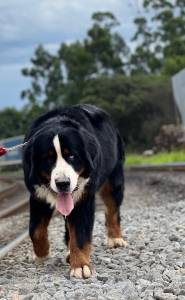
x=151, y=267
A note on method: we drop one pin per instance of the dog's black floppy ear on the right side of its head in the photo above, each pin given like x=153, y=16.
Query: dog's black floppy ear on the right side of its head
x=91, y=150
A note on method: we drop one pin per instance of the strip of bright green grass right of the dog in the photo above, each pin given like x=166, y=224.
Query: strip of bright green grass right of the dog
x=160, y=158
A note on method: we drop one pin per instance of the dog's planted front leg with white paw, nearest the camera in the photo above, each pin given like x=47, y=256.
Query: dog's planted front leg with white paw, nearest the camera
x=80, y=226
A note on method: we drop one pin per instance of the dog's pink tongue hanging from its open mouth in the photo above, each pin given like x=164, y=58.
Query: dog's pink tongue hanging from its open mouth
x=65, y=204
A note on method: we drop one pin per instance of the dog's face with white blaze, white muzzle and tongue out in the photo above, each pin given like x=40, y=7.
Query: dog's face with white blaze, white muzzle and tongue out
x=61, y=173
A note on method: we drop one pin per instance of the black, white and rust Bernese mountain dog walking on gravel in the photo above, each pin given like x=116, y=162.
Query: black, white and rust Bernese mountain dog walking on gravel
x=70, y=155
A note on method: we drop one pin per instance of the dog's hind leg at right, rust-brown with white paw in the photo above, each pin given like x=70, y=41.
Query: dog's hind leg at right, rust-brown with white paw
x=112, y=194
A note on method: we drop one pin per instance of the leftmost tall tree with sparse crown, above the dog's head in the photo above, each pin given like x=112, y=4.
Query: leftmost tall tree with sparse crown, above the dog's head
x=47, y=79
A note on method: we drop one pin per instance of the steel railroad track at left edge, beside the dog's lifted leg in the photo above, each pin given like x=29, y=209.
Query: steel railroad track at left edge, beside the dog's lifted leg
x=13, y=201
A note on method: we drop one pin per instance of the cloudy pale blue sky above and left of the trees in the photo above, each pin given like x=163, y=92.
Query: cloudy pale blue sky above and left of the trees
x=26, y=23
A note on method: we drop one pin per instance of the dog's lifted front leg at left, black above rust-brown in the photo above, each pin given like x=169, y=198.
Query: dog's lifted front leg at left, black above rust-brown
x=40, y=215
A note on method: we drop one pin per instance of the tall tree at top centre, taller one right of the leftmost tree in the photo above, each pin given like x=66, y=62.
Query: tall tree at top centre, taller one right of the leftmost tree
x=107, y=47
